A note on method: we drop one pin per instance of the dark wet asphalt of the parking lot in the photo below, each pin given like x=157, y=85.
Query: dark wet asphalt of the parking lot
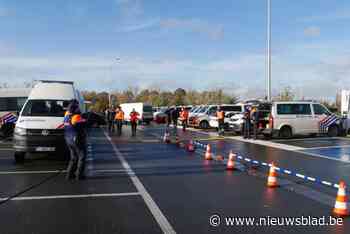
x=141, y=185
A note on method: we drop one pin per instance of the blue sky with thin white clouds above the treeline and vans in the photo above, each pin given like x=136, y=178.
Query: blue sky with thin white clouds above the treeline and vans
x=198, y=44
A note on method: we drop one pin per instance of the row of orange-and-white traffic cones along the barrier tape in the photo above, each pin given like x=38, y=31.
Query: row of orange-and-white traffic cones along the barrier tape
x=340, y=206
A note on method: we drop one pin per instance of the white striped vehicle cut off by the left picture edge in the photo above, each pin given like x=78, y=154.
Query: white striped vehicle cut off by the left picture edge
x=11, y=103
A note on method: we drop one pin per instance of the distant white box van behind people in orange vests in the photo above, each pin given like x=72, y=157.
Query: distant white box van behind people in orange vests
x=145, y=111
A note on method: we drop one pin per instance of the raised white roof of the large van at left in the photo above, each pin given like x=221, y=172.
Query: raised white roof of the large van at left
x=53, y=91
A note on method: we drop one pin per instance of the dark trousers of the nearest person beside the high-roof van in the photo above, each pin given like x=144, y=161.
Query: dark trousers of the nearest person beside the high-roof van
x=76, y=165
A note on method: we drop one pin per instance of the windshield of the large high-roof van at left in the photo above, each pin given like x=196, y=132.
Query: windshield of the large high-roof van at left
x=52, y=108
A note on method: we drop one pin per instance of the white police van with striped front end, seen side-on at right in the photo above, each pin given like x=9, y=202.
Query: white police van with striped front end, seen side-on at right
x=301, y=118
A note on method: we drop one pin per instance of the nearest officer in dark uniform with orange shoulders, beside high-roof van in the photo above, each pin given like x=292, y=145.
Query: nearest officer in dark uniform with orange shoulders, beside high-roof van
x=75, y=137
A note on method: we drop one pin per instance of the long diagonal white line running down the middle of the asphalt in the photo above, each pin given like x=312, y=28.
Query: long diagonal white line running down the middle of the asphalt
x=156, y=212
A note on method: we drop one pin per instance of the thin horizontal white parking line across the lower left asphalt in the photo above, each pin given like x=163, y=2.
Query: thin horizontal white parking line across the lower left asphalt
x=70, y=196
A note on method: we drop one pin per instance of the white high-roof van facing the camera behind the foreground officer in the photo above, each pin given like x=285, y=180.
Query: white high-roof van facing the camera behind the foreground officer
x=40, y=124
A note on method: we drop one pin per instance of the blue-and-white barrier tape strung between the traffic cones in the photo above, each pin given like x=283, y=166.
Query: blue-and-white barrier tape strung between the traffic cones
x=281, y=170
